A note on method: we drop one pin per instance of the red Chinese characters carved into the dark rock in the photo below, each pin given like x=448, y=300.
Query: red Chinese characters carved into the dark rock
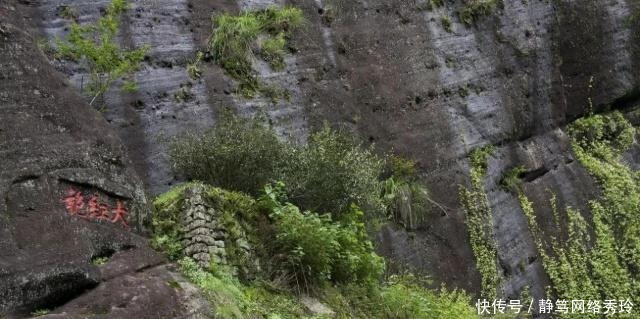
x=94, y=209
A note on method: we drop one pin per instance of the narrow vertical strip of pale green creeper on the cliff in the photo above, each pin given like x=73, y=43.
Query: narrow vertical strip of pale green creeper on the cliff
x=480, y=222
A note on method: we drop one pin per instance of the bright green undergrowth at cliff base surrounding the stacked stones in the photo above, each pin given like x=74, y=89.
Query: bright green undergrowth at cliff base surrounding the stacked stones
x=326, y=256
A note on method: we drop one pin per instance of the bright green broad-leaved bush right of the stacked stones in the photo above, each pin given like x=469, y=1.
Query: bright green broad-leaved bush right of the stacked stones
x=314, y=249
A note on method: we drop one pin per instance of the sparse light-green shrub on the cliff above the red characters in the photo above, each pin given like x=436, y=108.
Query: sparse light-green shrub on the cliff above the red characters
x=96, y=44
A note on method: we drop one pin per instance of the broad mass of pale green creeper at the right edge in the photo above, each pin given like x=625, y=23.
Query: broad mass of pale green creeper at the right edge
x=597, y=260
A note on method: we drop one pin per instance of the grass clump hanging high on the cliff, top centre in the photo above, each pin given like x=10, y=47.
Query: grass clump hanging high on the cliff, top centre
x=234, y=42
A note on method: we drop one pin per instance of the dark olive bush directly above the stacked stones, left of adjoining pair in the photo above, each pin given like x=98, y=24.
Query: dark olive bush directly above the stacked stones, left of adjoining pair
x=237, y=154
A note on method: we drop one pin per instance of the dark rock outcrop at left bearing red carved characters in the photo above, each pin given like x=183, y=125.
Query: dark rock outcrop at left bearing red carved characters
x=54, y=247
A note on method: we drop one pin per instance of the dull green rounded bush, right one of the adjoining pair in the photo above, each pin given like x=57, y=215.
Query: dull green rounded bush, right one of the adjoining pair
x=333, y=171
